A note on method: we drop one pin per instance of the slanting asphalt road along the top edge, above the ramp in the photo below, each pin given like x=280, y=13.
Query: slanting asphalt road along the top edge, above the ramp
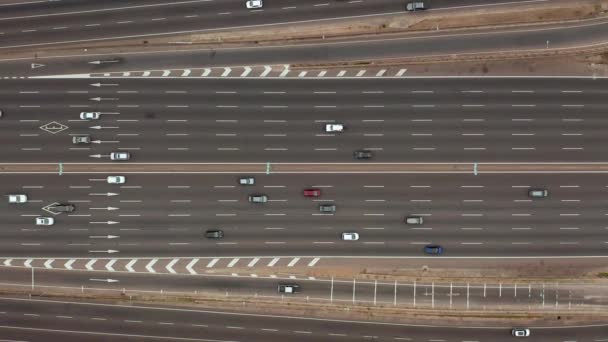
x=38, y=23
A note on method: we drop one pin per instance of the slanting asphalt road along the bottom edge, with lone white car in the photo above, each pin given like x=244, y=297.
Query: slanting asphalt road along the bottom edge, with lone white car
x=43, y=320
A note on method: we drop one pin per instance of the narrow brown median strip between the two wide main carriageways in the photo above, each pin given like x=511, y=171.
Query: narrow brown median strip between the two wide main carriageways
x=301, y=168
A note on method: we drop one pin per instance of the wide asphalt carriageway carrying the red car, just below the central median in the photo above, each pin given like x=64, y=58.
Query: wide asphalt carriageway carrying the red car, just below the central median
x=165, y=215
